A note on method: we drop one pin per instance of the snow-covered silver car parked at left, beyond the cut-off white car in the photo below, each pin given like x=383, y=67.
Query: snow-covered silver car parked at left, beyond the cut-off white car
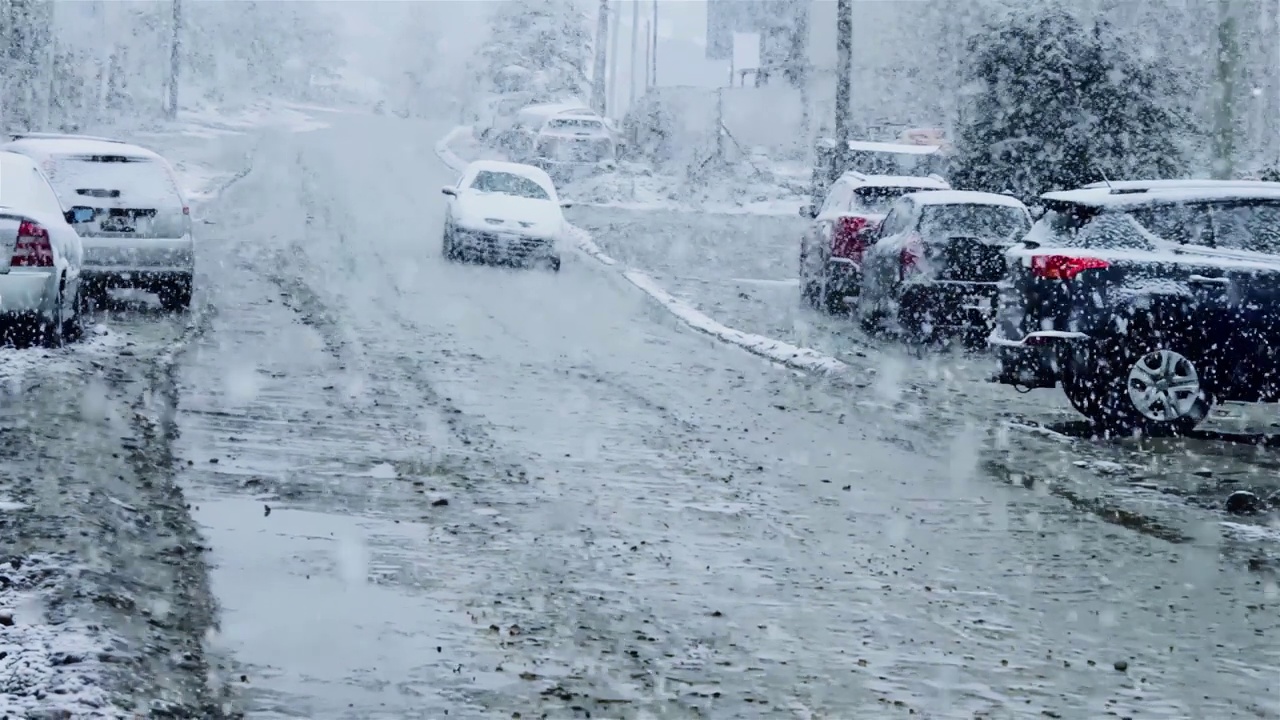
x=139, y=233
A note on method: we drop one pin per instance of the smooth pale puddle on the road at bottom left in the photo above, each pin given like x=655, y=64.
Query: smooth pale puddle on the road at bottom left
x=335, y=609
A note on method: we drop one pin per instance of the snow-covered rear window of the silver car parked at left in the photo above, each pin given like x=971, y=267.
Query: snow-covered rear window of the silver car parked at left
x=81, y=180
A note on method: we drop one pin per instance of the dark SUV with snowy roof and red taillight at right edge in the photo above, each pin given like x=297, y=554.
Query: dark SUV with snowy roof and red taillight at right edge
x=1149, y=302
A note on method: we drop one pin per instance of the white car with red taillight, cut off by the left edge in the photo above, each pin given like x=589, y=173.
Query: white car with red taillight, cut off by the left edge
x=42, y=258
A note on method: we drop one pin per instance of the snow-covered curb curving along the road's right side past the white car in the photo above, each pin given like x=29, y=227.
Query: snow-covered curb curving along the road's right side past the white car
x=770, y=349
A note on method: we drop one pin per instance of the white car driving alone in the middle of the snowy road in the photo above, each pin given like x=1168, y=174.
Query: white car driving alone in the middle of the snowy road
x=504, y=213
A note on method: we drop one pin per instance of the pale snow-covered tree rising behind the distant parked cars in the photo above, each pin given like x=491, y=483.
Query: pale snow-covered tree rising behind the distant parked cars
x=548, y=38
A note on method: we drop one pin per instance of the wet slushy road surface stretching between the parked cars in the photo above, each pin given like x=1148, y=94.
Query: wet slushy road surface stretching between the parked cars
x=424, y=489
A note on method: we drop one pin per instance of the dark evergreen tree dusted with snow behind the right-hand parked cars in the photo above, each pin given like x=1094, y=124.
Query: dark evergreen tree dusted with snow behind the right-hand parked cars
x=1062, y=106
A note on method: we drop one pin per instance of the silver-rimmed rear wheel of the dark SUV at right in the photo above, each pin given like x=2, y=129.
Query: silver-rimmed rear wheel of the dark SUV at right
x=1153, y=388
